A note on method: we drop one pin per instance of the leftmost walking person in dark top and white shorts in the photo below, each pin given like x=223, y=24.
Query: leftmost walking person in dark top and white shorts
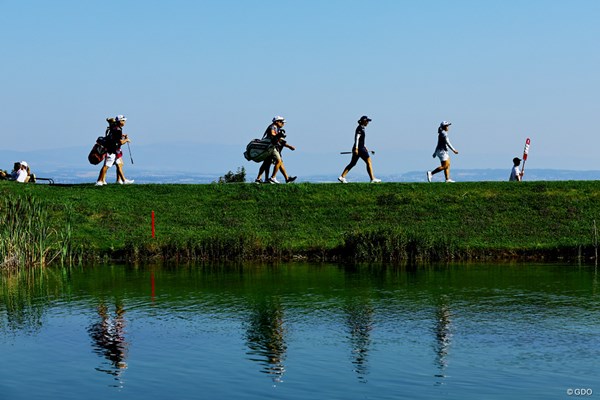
x=114, y=155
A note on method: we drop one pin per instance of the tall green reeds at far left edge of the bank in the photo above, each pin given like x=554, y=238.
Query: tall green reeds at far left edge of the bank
x=27, y=238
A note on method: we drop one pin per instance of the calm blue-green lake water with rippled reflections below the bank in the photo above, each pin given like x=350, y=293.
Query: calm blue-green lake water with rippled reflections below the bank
x=298, y=331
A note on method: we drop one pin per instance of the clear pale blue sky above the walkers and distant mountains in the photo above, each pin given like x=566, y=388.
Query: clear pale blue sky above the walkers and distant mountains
x=211, y=75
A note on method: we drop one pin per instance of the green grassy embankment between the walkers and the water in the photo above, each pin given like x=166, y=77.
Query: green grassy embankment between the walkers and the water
x=386, y=222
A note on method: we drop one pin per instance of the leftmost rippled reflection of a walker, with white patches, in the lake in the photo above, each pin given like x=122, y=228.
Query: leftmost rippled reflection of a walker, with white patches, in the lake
x=108, y=336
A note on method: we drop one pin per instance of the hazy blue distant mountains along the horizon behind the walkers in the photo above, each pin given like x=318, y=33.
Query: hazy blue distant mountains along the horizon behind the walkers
x=196, y=163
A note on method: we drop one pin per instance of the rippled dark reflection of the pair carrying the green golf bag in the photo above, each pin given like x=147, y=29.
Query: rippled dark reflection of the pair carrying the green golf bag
x=265, y=337
